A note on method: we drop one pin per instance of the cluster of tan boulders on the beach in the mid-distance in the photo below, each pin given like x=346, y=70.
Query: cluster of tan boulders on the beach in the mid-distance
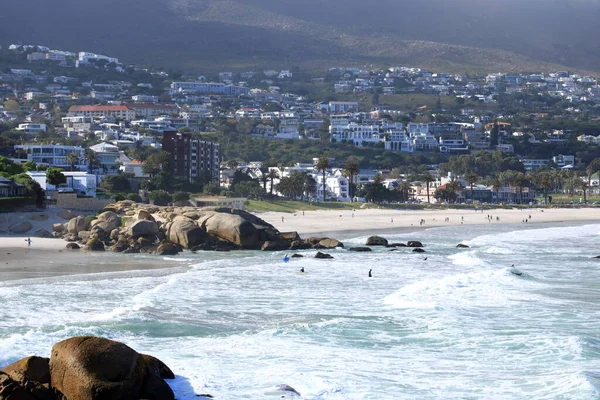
x=128, y=227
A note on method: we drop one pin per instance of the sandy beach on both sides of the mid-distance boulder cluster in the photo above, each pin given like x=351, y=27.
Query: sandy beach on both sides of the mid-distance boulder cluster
x=48, y=257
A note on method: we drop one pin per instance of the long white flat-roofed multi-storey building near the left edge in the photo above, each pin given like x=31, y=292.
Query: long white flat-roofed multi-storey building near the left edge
x=52, y=155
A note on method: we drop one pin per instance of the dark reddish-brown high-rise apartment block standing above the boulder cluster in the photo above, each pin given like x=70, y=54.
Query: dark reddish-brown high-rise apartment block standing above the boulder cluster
x=193, y=158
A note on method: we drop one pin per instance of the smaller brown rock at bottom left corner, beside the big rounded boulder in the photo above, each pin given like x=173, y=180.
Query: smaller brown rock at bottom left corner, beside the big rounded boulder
x=33, y=375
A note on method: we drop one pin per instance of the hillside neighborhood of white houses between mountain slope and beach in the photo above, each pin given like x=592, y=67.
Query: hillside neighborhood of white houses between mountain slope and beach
x=93, y=117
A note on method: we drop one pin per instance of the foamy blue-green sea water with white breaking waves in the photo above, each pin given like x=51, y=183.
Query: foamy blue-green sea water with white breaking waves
x=459, y=325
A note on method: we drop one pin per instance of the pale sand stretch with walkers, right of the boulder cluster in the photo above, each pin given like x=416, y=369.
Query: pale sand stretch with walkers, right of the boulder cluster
x=373, y=220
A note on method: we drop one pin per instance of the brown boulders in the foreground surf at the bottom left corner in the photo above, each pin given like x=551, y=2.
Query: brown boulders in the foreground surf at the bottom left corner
x=87, y=368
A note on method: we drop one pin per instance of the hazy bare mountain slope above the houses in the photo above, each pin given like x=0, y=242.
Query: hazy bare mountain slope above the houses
x=461, y=35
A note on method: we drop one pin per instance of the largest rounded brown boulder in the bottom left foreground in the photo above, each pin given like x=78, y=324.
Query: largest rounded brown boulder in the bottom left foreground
x=91, y=368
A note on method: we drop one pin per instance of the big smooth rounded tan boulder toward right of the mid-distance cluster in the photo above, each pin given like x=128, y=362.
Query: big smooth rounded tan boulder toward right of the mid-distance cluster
x=232, y=228
